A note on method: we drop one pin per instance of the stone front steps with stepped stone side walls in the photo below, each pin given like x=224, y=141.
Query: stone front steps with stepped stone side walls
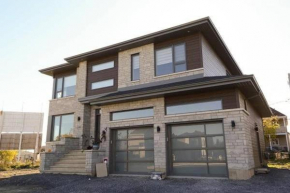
x=66, y=157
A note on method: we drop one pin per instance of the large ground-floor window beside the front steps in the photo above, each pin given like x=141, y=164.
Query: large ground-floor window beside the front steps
x=62, y=126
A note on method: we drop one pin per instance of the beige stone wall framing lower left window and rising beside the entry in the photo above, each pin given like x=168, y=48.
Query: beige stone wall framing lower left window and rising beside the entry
x=71, y=105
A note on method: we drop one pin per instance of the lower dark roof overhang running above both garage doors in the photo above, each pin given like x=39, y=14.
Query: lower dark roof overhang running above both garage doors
x=247, y=84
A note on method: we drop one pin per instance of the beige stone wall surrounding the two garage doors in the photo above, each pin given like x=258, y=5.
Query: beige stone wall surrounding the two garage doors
x=239, y=143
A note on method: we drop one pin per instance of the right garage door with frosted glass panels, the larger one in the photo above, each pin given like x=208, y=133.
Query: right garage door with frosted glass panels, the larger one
x=197, y=150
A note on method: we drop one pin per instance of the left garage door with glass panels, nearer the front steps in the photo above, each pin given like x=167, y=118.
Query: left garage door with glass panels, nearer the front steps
x=133, y=150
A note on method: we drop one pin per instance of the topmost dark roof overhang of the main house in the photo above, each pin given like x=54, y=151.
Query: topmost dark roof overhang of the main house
x=204, y=25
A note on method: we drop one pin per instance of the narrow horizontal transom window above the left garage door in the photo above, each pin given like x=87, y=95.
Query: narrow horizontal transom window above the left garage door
x=132, y=114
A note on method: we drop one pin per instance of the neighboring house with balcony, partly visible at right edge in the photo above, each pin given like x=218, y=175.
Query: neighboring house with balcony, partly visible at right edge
x=282, y=140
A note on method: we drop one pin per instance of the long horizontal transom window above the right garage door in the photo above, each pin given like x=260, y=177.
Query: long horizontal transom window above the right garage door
x=194, y=107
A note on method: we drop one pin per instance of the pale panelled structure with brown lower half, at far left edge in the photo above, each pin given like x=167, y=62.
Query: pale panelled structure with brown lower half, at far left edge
x=21, y=131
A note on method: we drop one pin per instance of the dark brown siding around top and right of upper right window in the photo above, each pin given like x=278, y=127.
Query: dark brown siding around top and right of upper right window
x=193, y=49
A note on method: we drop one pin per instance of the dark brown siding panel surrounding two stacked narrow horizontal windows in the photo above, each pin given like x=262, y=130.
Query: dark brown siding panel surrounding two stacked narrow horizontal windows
x=106, y=74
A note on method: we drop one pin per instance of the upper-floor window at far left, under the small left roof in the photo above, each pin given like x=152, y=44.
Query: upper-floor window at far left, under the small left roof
x=65, y=86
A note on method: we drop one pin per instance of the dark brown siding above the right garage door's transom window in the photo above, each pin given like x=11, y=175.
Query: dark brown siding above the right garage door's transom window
x=228, y=97
